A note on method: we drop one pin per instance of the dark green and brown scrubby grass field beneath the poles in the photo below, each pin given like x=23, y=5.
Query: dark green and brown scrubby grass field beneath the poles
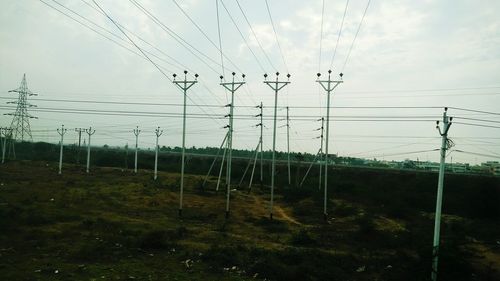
x=116, y=225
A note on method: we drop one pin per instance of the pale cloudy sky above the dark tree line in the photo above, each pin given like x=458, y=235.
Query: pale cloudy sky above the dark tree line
x=409, y=60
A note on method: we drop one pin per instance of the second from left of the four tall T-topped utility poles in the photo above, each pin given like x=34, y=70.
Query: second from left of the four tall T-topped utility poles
x=232, y=87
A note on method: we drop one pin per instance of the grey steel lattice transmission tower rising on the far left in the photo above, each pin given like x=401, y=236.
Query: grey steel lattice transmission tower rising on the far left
x=20, y=124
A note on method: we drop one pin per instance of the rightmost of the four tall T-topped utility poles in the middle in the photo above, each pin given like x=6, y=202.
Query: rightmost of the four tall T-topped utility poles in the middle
x=328, y=85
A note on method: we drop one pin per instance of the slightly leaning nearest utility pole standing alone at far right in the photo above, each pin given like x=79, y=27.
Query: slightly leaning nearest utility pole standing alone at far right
x=439, y=199
